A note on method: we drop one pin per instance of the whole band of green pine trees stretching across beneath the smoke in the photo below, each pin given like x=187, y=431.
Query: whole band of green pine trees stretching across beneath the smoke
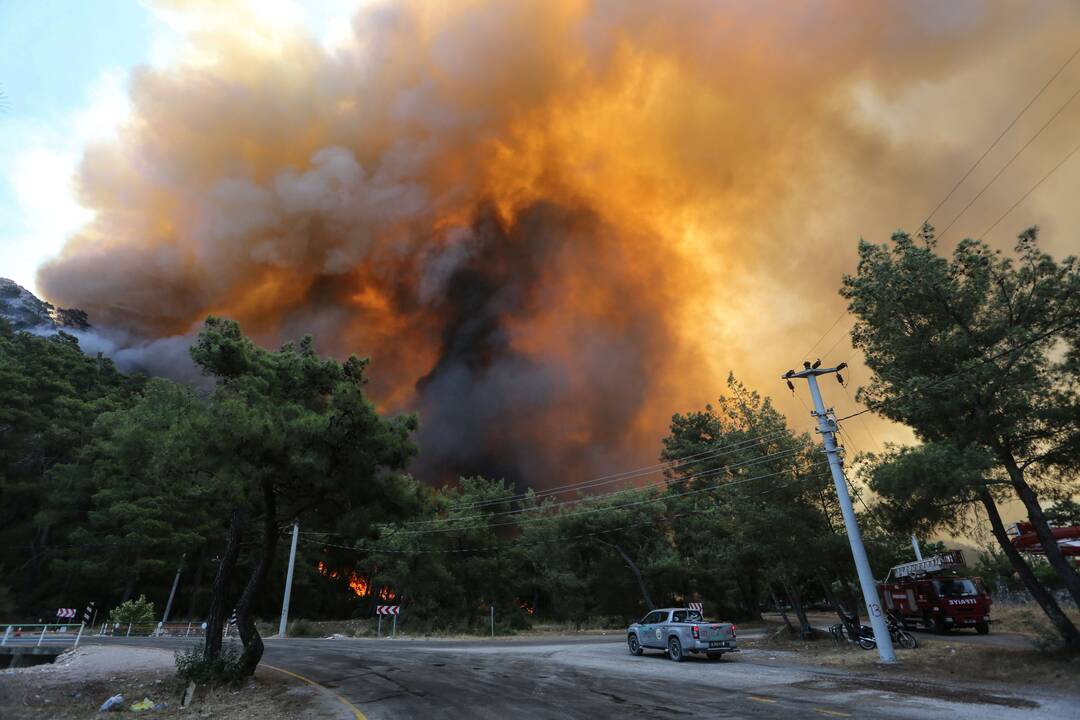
x=110, y=481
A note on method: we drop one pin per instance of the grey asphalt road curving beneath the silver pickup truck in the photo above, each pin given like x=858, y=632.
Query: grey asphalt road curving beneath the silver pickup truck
x=562, y=678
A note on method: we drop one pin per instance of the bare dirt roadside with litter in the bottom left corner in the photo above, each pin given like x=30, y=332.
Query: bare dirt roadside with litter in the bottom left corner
x=79, y=683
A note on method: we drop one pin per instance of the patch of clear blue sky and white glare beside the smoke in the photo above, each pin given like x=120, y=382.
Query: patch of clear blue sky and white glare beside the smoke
x=63, y=76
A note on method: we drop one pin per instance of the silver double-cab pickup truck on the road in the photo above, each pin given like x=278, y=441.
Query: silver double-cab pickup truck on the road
x=680, y=631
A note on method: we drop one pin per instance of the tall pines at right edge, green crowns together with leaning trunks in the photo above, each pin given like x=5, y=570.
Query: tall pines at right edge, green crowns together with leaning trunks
x=978, y=355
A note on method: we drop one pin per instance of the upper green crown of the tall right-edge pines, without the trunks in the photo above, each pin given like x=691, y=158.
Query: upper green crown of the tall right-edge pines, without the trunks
x=967, y=350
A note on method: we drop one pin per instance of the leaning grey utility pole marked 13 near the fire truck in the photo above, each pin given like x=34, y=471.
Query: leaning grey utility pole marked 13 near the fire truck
x=828, y=428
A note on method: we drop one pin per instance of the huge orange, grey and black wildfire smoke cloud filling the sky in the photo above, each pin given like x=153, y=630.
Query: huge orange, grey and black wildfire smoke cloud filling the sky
x=550, y=224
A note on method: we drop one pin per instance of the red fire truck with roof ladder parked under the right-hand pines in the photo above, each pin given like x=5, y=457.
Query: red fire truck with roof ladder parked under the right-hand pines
x=936, y=594
